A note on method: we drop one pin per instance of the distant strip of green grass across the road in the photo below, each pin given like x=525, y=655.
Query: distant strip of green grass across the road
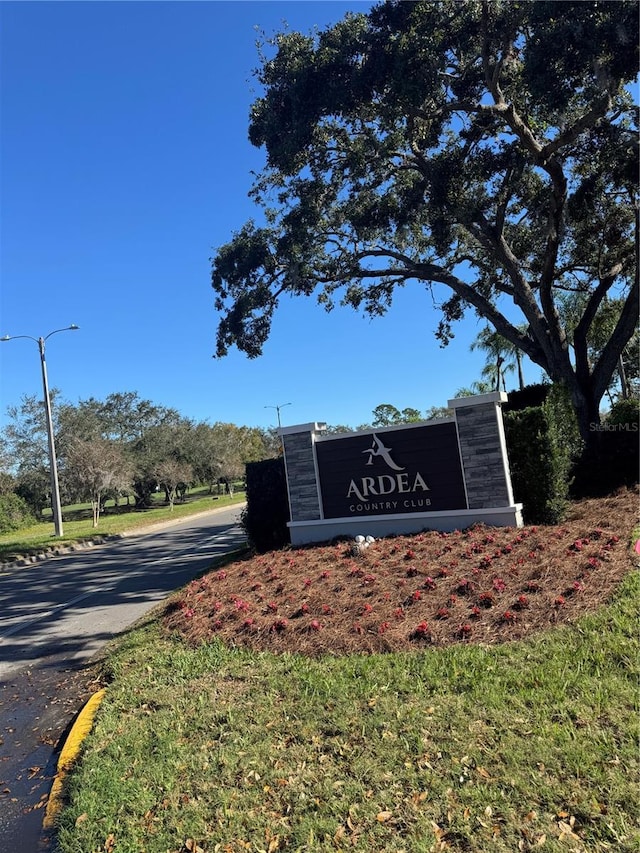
x=78, y=524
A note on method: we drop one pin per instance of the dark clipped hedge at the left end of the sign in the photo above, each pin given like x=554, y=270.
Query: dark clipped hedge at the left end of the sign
x=266, y=514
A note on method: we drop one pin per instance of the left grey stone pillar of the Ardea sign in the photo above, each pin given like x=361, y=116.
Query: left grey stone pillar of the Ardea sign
x=304, y=499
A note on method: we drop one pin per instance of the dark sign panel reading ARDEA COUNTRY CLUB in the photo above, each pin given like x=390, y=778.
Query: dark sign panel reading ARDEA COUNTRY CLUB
x=415, y=469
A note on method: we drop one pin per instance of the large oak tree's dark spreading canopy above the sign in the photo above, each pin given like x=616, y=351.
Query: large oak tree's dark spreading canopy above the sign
x=485, y=150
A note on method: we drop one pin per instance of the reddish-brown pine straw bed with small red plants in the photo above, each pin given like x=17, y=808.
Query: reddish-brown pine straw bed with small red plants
x=481, y=585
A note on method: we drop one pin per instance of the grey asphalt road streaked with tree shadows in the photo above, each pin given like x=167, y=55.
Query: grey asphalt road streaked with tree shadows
x=55, y=617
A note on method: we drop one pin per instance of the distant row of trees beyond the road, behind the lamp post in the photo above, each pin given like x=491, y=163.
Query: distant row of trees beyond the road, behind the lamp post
x=123, y=449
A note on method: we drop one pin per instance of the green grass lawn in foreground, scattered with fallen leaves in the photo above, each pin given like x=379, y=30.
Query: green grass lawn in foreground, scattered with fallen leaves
x=527, y=746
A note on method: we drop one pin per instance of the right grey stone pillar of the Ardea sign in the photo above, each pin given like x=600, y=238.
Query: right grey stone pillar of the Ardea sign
x=483, y=450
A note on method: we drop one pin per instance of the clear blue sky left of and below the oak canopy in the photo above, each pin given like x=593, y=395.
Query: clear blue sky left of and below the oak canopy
x=125, y=163
